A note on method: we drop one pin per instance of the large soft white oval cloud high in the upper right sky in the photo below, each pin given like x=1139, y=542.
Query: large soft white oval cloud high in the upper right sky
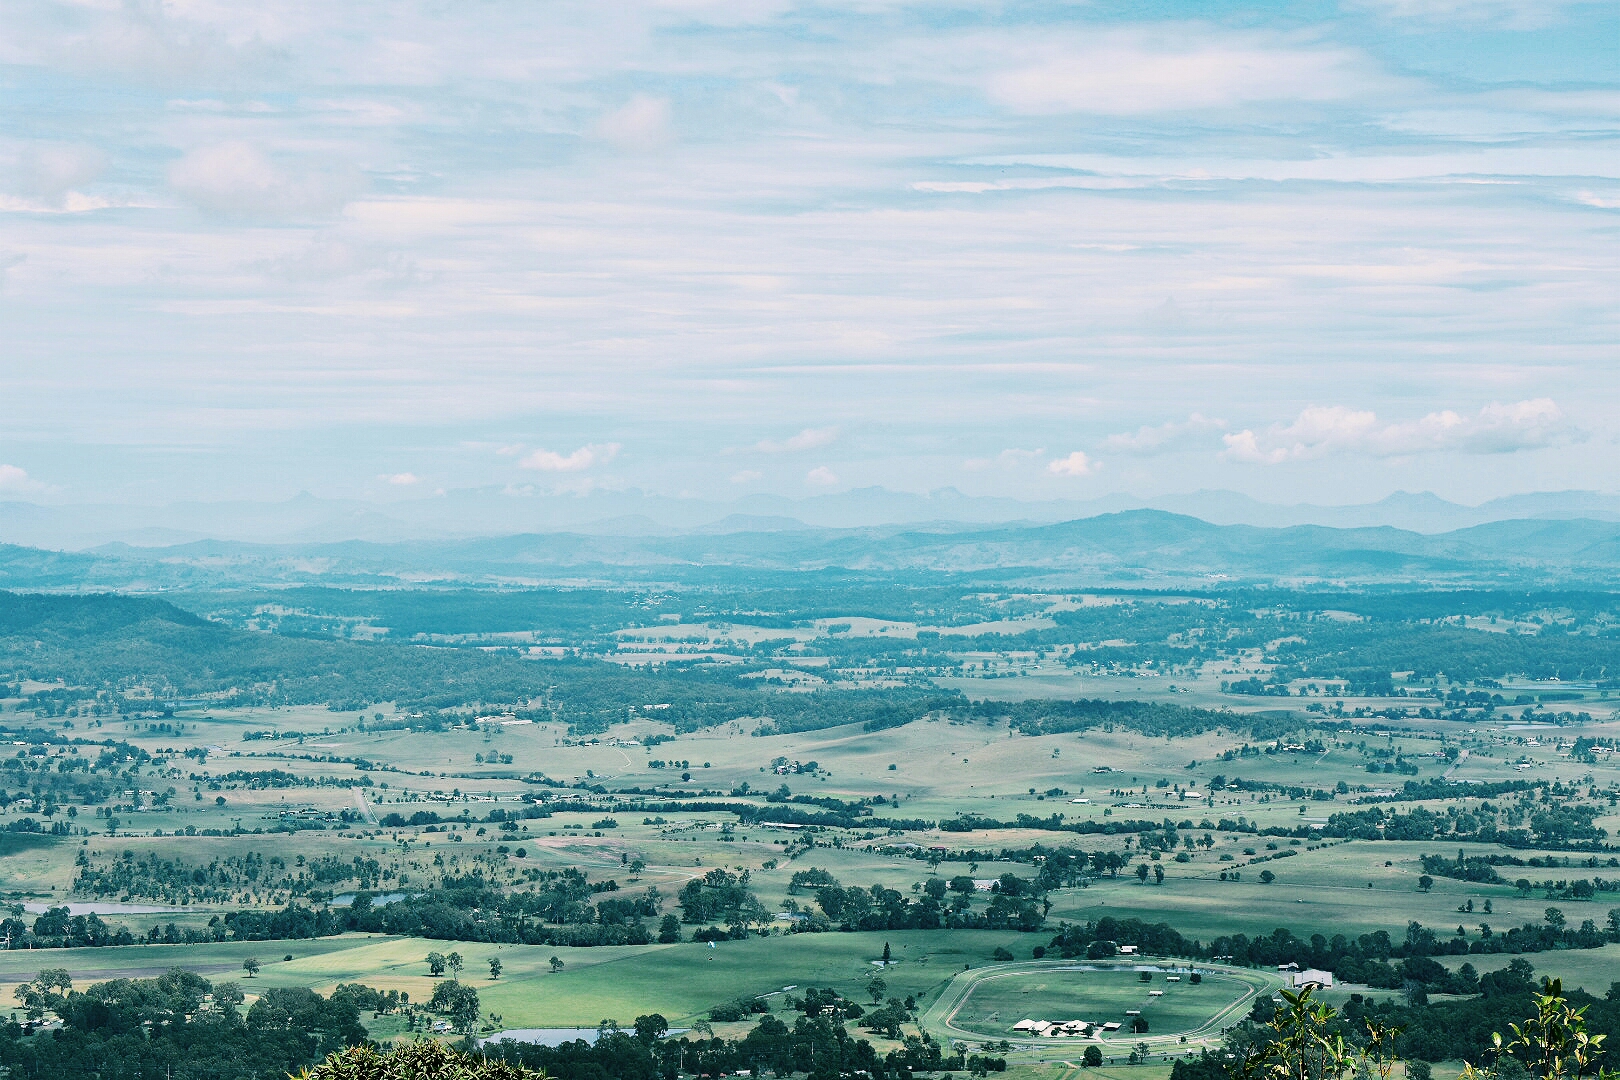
x=1130, y=74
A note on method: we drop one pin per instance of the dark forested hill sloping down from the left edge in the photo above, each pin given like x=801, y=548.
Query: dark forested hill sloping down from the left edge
x=101, y=647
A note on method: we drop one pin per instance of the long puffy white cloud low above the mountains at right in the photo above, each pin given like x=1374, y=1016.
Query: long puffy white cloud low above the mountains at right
x=1321, y=432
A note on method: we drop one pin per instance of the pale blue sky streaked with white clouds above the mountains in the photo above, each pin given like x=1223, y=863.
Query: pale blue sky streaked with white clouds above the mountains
x=1308, y=252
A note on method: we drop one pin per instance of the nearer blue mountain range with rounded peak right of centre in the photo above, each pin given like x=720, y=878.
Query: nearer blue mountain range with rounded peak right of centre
x=1133, y=548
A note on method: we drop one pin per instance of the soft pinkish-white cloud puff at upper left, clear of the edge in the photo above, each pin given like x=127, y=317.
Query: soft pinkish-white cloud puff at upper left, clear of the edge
x=242, y=181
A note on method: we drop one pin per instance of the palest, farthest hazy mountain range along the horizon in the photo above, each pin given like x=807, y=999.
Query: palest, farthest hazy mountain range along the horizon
x=495, y=512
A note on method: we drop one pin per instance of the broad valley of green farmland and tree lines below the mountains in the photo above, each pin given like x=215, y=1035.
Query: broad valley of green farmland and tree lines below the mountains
x=961, y=794
